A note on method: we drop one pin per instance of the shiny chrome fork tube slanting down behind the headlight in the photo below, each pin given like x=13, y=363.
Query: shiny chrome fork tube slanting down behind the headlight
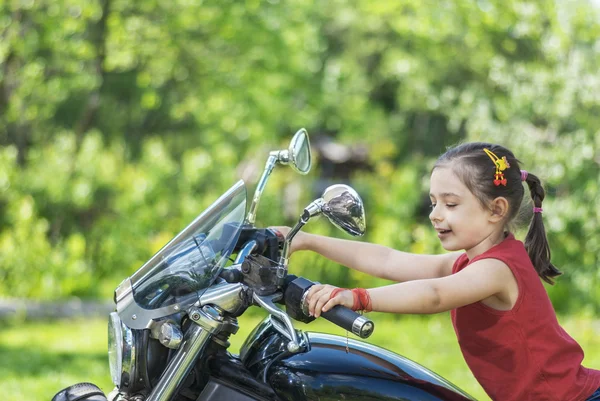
x=195, y=339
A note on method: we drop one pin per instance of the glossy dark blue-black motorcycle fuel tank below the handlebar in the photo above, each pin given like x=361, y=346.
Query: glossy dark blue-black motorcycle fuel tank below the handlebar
x=334, y=368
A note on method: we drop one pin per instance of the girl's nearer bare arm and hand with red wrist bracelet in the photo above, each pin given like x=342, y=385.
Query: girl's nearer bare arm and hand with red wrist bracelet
x=474, y=283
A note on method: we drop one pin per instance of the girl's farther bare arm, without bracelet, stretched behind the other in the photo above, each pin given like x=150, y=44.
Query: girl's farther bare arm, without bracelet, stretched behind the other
x=378, y=260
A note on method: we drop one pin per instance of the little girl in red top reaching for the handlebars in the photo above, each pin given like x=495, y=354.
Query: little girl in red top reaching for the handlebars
x=505, y=324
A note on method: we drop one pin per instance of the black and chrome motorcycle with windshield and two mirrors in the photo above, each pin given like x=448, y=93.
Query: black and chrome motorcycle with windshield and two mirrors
x=168, y=337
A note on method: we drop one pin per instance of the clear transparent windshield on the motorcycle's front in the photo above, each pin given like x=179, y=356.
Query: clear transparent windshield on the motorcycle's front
x=184, y=268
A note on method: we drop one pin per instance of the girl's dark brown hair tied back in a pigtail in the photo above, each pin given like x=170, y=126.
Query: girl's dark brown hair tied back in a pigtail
x=476, y=170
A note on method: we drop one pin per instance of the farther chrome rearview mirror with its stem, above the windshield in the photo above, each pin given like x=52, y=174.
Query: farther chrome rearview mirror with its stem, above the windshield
x=297, y=155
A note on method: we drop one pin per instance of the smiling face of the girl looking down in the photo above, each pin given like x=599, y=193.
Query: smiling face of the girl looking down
x=457, y=215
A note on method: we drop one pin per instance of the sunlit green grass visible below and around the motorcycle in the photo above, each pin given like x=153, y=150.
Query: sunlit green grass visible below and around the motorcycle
x=38, y=359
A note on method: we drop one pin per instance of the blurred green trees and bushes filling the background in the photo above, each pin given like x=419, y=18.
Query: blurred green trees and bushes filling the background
x=120, y=121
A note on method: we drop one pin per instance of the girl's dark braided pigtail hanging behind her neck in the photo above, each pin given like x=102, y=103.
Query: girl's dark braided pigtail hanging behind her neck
x=536, y=241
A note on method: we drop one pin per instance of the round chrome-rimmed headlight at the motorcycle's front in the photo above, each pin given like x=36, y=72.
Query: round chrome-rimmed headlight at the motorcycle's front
x=121, y=351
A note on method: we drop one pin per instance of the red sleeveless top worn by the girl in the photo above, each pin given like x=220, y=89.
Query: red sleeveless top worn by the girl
x=522, y=354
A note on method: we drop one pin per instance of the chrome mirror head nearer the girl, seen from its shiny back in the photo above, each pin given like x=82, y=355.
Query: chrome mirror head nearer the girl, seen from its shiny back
x=344, y=208
